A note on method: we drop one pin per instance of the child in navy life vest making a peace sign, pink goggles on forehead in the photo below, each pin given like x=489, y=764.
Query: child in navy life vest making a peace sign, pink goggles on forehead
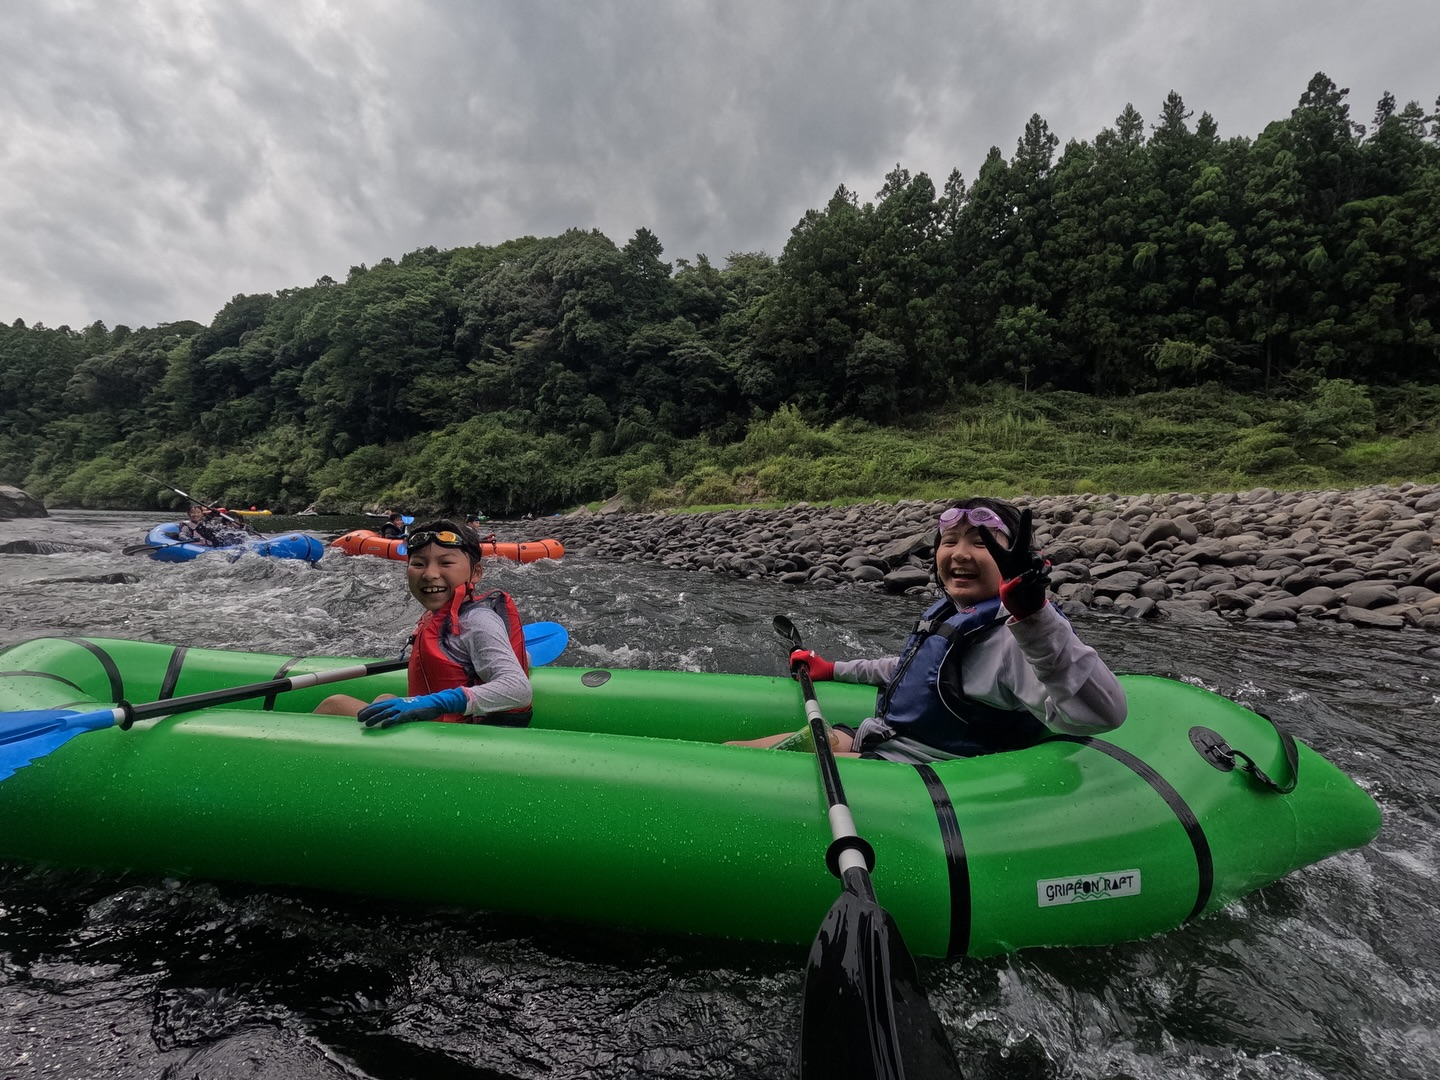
x=990, y=667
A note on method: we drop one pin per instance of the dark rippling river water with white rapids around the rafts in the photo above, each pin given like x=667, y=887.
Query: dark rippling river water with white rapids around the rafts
x=1333, y=973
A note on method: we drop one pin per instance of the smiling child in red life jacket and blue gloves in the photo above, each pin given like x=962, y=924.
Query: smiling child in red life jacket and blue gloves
x=467, y=656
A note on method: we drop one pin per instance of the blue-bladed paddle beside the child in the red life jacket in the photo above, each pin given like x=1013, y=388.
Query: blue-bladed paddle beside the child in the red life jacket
x=27, y=737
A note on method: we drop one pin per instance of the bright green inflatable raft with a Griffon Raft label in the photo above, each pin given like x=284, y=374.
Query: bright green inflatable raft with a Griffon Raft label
x=620, y=806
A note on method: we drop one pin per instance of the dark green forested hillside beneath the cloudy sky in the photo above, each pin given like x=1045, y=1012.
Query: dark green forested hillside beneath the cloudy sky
x=1300, y=269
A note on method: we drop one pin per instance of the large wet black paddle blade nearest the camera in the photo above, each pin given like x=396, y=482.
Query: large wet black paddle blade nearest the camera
x=865, y=1014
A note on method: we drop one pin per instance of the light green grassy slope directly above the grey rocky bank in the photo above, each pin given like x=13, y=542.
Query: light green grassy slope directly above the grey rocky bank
x=999, y=441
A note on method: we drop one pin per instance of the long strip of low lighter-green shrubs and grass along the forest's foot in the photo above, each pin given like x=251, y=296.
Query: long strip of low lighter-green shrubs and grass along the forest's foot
x=993, y=441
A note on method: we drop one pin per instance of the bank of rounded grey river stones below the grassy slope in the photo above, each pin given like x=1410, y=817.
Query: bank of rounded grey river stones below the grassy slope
x=1366, y=558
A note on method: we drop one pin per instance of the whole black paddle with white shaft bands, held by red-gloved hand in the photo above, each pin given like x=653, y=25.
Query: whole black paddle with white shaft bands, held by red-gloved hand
x=865, y=1014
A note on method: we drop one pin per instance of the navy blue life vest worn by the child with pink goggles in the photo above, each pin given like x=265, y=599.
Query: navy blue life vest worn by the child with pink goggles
x=927, y=701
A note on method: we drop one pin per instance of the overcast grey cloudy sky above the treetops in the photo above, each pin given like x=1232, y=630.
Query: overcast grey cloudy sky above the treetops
x=161, y=156
